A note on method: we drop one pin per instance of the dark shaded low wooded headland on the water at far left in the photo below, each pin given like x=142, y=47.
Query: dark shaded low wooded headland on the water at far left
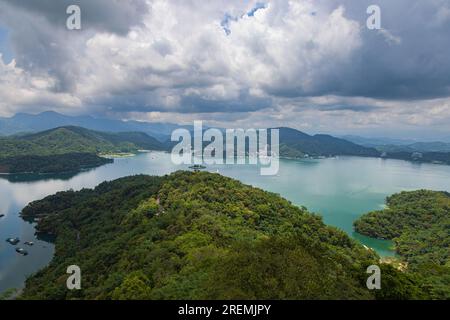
x=71, y=162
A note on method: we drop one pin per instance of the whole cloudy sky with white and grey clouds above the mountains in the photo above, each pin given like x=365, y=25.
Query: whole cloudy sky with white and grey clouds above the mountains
x=312, y=65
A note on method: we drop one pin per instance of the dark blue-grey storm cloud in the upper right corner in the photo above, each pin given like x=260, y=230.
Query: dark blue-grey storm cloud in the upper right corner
x=409, y=59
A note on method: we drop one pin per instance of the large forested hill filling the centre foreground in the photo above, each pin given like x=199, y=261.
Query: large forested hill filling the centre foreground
x=199, y=236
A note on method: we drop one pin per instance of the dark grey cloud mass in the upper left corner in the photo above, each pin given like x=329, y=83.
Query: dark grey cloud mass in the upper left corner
x=42, y=43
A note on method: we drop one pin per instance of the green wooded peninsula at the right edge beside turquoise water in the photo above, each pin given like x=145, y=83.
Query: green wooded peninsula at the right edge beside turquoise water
x=419, y=223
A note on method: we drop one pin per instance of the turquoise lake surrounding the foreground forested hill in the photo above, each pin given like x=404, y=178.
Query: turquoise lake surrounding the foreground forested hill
x=340, y=189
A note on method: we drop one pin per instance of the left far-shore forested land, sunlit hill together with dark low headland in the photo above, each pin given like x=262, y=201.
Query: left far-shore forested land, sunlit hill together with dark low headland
x=67, y=149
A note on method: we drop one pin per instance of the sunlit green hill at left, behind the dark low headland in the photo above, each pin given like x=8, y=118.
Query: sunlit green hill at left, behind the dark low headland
x=65, y=140
